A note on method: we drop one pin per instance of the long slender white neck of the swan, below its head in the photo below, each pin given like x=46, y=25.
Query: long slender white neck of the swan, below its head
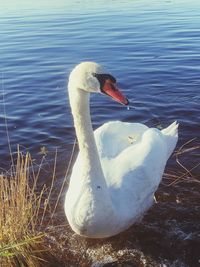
x=79, y=101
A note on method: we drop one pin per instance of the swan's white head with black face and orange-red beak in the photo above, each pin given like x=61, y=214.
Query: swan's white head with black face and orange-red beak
x=93, y=78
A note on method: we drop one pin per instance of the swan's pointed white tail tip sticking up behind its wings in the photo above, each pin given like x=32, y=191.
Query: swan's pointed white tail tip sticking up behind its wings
x=171, y=136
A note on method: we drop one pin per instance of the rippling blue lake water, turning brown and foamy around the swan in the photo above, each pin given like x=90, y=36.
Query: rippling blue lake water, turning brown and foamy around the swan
x=153, y=51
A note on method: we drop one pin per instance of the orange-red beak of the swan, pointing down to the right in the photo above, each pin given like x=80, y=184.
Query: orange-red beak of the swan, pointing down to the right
x=110, y=89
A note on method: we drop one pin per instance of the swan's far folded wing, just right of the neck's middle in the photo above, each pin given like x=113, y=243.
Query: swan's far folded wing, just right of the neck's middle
x=113, y=137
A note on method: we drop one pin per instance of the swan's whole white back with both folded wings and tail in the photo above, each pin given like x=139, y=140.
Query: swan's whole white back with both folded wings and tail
x=133, y=158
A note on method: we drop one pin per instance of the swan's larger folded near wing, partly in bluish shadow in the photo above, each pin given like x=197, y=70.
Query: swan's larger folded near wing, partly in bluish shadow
x=134, y=175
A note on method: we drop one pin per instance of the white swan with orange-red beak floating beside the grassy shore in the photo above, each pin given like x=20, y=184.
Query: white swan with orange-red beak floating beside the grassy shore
x=119, y=166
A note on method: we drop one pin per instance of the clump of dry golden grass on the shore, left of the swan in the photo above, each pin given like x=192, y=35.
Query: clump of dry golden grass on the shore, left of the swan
x=22, y=241
